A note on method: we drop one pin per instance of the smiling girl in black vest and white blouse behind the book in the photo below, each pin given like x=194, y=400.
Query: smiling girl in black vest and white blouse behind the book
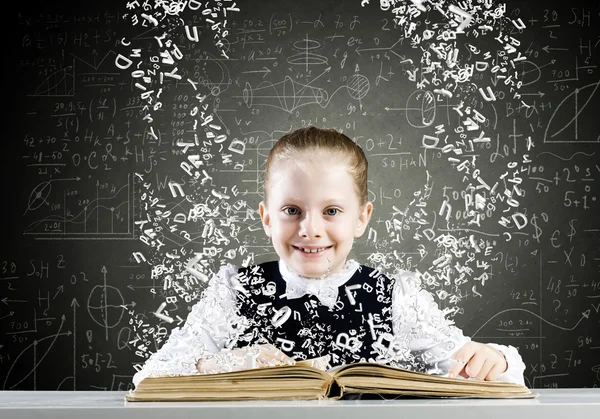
x=313, y=301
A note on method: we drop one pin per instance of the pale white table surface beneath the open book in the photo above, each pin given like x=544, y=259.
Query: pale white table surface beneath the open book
x=550, y=403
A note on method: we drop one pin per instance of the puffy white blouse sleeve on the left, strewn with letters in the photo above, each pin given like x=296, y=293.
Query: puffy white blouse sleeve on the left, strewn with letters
x=213, y=324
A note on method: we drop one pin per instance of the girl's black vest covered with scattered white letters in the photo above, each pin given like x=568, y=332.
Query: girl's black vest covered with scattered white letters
x=306, y=328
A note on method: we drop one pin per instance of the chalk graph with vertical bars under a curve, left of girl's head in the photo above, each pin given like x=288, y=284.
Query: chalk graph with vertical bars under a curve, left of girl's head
x=108, y=216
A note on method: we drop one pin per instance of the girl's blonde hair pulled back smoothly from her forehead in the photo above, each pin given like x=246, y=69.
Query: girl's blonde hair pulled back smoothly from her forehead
x=313, y=139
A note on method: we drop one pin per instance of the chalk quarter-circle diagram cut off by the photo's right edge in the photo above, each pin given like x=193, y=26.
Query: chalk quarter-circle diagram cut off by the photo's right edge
x=571, y=107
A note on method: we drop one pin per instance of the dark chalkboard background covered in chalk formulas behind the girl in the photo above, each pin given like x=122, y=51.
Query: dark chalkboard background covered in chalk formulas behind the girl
x=105, y=204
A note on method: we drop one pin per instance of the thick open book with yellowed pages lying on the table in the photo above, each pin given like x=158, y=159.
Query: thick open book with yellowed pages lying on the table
x=308, y=380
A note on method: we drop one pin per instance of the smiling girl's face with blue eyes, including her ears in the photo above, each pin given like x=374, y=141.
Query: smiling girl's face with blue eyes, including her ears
x=313, y=204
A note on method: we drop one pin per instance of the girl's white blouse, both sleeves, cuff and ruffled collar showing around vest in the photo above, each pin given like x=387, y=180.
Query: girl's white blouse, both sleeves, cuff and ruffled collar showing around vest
x=421, y=329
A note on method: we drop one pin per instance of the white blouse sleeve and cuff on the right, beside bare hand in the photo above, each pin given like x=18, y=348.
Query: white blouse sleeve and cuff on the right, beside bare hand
x=423, y=329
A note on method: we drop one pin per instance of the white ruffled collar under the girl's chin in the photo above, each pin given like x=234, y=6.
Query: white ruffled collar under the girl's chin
x=326, y=289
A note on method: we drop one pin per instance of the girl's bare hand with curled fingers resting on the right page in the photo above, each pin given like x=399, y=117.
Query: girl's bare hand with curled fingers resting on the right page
x=478, y=360
